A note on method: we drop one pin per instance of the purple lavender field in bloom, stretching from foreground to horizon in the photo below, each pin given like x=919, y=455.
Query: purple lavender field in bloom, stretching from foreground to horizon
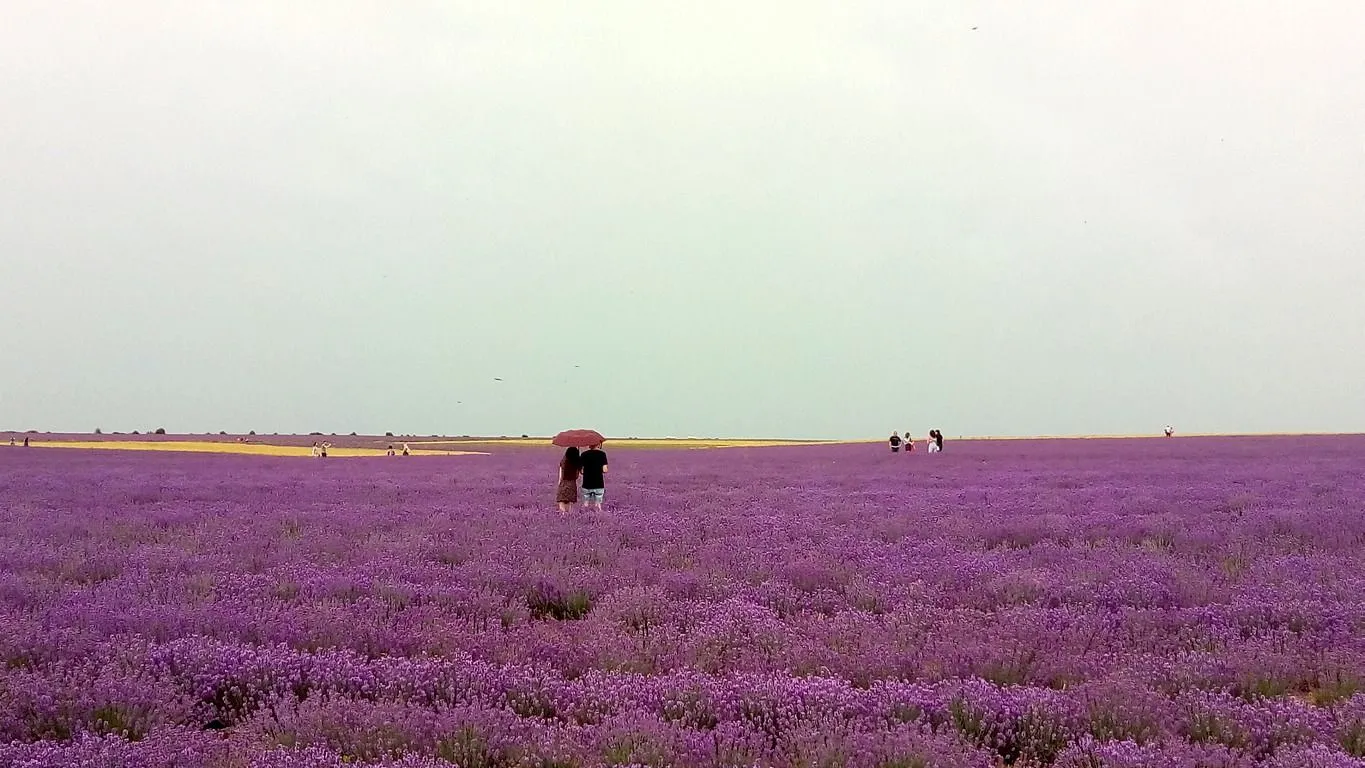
x=1076, y=604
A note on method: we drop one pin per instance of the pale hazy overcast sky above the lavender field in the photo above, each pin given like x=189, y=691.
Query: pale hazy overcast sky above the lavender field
x=784, y=219
